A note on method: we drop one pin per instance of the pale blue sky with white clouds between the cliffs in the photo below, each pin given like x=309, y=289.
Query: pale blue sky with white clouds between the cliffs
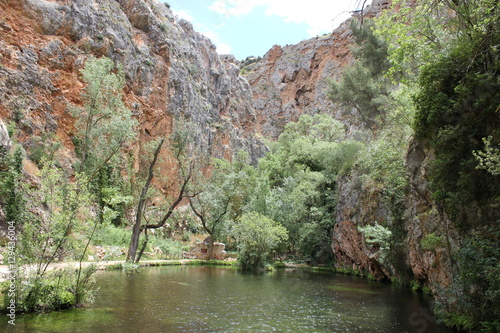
x=251, y=27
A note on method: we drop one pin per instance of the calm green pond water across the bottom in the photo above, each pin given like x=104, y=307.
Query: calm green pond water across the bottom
x=208, y=299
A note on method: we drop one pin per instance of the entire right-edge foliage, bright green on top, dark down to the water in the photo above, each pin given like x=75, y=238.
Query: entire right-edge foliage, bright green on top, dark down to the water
x=446, y=53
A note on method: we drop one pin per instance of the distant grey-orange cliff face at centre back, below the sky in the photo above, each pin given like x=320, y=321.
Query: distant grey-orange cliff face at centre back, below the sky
x=292, y=80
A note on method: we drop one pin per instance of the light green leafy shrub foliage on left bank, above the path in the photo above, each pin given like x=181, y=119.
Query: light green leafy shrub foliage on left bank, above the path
x=49, y=235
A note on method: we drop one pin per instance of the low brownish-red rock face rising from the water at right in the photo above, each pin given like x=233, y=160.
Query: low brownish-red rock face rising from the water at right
x=427, y=236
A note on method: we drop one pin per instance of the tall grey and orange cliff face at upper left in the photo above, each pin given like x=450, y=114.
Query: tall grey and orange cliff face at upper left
x=171, y=71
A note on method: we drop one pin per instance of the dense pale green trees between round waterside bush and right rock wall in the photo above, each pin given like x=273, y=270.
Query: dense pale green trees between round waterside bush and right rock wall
x=298, y=182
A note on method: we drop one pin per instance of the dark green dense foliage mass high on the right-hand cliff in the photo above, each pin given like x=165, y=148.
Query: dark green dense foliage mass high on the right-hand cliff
x=456, y=109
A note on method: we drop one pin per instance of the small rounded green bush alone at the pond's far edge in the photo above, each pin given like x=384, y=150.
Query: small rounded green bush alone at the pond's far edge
x=257, y=235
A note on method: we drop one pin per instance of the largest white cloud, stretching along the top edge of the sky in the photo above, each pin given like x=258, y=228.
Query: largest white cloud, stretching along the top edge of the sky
x=320, y=15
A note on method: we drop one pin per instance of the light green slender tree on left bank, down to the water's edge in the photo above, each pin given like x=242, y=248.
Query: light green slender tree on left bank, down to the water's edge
x=54, y=207
